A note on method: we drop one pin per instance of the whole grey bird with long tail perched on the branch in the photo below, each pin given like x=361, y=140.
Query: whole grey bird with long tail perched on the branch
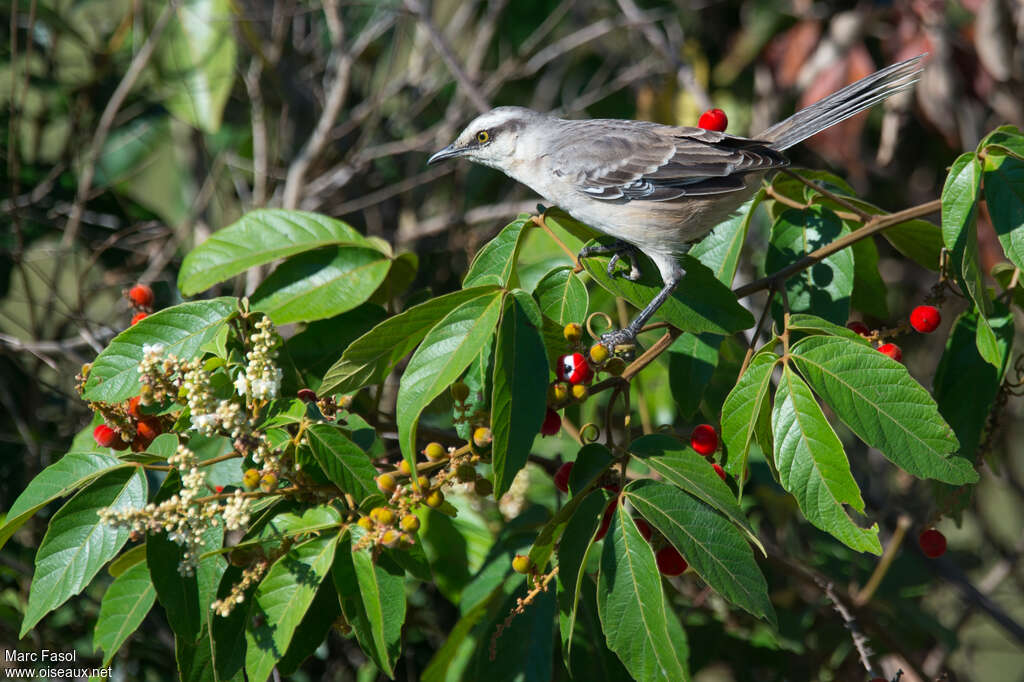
x=655, y=188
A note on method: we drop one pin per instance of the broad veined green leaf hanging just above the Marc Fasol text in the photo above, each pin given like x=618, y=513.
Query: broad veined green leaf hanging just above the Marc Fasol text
x=77, y=544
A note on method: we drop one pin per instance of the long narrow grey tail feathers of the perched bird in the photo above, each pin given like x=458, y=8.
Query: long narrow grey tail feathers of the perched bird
x=844, y=104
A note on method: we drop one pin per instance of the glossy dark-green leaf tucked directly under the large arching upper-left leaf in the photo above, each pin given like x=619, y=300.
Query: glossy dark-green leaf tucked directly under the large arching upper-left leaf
x=321, y=284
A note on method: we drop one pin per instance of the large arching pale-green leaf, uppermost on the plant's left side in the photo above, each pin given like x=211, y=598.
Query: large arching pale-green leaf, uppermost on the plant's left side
x=262, y=237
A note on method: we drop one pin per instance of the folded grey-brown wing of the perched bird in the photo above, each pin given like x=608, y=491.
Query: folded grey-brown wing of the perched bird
x=636, y=161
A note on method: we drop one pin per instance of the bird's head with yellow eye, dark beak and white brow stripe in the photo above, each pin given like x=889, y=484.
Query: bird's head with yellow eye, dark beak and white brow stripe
x=492, y=138
